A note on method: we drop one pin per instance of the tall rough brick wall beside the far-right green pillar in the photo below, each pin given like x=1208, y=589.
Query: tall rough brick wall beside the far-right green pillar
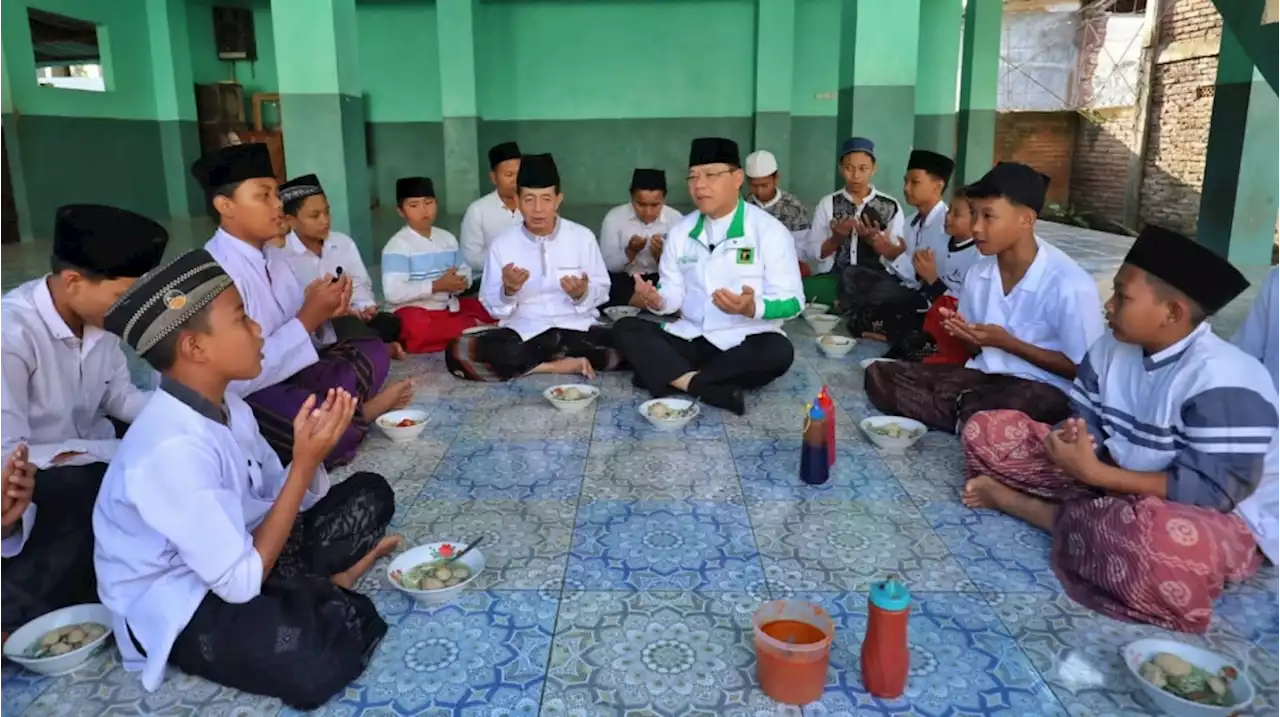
x=1182, y=106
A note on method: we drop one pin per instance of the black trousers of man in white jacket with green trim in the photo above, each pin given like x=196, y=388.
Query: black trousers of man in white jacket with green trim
x=659, y=358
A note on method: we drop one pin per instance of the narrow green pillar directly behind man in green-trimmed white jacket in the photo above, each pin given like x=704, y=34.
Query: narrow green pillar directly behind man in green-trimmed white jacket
x=775, y=68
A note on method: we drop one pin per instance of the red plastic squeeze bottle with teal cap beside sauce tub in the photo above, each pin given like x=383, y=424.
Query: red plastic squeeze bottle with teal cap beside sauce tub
x=886, y=655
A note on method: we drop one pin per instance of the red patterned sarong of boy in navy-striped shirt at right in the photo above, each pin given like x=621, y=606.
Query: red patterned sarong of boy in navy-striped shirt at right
x=1131, y=558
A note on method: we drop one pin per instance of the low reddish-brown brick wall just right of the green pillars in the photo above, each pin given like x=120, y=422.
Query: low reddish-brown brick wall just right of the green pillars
x=1043, y=140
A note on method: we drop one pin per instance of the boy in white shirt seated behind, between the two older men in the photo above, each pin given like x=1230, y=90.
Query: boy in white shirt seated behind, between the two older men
x=633, y=235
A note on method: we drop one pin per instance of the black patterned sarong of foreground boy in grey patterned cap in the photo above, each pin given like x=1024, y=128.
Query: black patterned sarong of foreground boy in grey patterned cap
x=303, y=640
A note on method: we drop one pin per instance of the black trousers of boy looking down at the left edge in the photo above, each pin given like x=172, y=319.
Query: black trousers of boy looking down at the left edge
x=56, y=568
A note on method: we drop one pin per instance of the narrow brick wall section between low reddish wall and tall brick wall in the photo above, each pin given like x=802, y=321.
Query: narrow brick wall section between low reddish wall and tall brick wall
x=1100, y=170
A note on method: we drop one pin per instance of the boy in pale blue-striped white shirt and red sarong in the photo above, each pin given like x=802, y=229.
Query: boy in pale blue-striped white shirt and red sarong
x=424, y=275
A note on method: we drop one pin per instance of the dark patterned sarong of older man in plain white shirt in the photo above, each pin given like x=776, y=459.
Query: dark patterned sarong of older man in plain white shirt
x=501, y=355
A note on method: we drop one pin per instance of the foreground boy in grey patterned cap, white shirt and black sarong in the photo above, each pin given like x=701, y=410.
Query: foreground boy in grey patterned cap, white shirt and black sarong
x=212, y=555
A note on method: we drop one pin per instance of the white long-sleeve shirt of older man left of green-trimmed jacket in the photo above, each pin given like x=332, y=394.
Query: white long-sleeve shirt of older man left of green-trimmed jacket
x=542, y=304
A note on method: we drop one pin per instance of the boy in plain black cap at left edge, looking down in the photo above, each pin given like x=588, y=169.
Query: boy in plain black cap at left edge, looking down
x=63, y=380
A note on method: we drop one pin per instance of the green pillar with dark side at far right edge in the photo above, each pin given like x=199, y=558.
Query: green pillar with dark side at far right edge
x=1242, y=177
